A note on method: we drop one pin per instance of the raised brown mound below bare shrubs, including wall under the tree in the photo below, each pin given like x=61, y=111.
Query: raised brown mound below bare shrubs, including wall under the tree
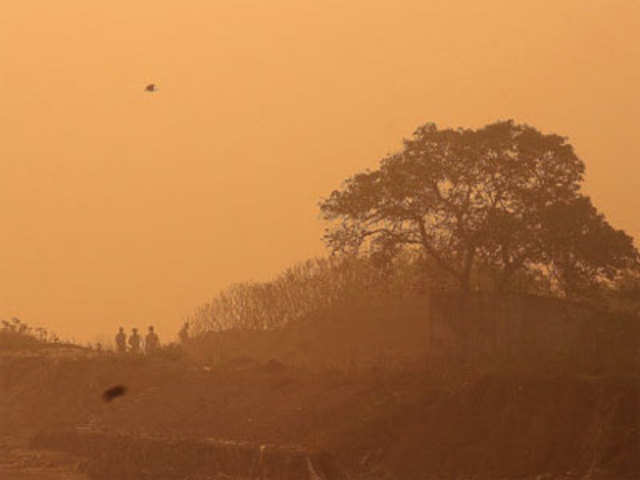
x=403, y=332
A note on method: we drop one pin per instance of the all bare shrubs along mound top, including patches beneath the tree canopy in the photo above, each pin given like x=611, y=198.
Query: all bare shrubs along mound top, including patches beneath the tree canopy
x=311, y=289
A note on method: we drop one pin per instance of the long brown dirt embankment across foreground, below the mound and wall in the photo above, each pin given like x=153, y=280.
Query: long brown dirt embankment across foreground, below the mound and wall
x=498, y=425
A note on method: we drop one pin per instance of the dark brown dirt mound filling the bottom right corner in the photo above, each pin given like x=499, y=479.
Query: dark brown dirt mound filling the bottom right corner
x=511, y=427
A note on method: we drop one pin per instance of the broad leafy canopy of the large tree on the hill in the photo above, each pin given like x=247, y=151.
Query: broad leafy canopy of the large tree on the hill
x=505, y=197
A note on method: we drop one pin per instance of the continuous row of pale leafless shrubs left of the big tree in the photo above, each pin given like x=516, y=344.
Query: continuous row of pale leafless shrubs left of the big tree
x=305, y=290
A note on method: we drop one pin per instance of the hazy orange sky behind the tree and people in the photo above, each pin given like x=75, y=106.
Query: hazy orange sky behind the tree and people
x=120, y=207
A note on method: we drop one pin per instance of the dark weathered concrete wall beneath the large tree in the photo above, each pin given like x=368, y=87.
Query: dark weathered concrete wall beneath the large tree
x=524, y=327
